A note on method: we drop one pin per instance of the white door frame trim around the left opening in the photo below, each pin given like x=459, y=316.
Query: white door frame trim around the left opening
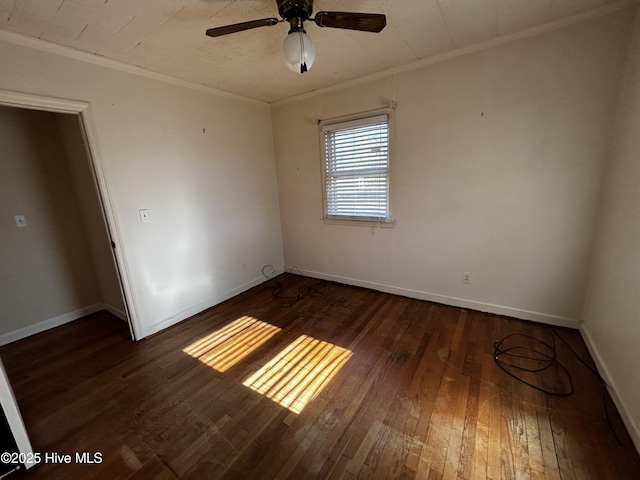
x=90, y=140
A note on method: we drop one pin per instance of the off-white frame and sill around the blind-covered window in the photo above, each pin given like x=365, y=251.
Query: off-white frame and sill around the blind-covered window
x=346, y=122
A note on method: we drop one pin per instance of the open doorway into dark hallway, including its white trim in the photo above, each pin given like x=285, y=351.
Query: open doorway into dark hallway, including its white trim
x=61, y=252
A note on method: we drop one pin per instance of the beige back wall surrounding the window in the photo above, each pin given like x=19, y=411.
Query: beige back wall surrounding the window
x=495, y=170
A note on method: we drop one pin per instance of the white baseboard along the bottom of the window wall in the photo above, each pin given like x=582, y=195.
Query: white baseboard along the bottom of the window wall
x=452, y=301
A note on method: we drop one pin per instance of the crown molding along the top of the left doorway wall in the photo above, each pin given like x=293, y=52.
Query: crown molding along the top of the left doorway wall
x=80, y=55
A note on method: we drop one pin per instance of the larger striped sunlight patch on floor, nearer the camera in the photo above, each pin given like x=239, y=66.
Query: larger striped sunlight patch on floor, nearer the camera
x=298, y=373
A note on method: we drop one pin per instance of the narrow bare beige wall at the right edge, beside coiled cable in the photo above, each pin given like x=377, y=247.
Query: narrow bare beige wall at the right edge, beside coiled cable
x=612, y=308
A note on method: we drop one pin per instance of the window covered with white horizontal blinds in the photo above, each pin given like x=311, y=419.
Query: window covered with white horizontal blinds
x=356, y=174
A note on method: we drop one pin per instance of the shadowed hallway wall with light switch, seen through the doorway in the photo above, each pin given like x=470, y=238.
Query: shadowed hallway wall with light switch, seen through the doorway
x=46, y=268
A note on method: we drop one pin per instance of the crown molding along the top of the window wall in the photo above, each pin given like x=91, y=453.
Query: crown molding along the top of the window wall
x=424, y=62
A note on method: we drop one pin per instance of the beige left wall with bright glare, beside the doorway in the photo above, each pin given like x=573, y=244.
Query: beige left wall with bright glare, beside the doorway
x=202, y=164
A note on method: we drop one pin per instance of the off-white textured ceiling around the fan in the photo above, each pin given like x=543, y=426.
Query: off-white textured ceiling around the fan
x=167, y=36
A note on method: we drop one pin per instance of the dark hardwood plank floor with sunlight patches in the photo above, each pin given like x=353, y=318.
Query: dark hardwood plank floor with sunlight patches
x=342, y=383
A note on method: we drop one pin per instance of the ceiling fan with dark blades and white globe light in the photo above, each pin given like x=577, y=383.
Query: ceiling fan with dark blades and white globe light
x=299, y=52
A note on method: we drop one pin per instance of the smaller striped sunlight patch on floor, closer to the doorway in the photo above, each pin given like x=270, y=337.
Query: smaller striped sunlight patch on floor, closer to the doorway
x=224, y=348
